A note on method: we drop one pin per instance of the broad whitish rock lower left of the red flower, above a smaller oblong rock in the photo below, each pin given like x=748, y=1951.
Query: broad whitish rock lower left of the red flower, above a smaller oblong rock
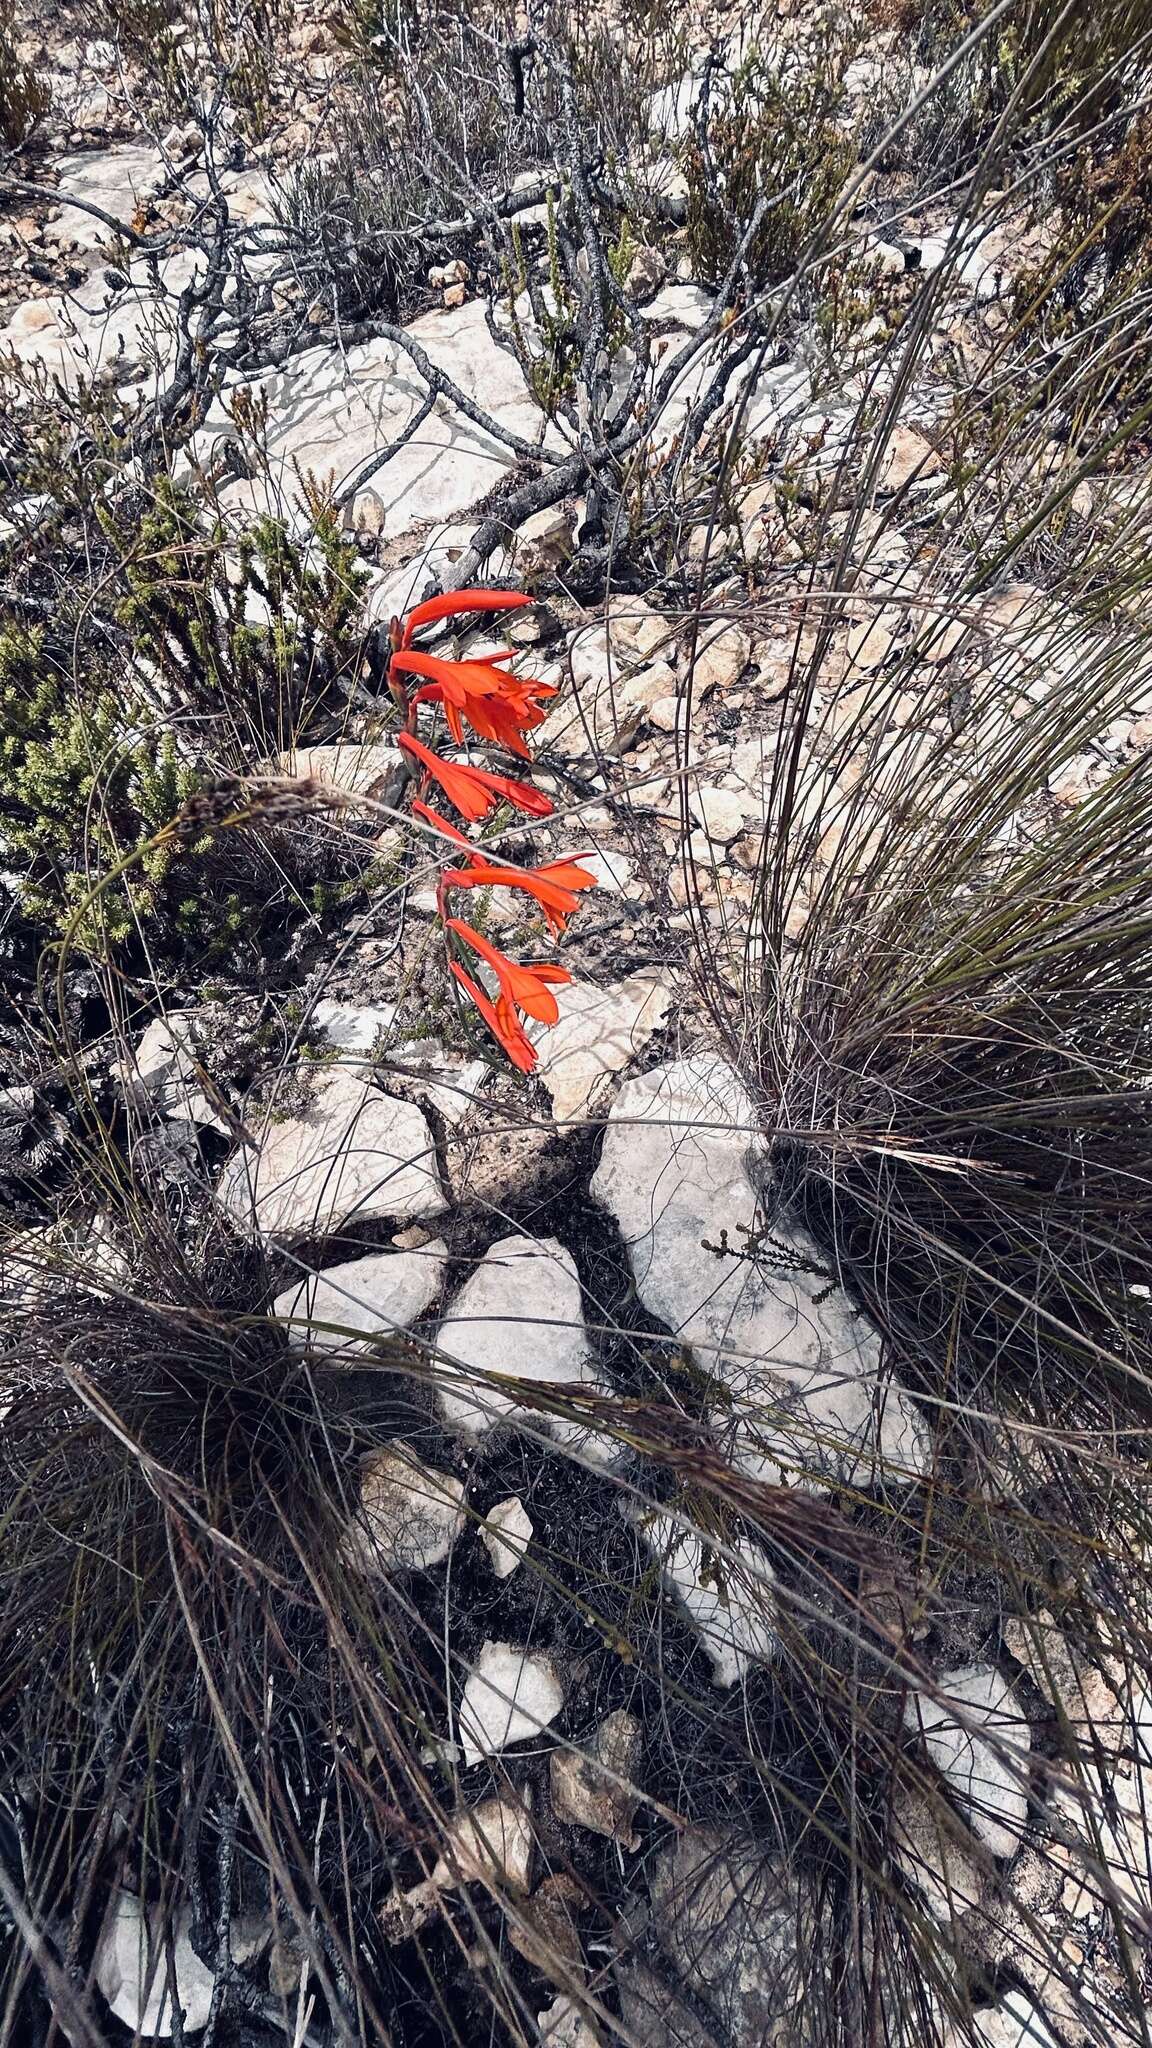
x=352, y=1154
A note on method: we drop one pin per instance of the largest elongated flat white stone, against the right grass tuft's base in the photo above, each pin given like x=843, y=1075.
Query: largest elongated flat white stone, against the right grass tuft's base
x=805, y=1371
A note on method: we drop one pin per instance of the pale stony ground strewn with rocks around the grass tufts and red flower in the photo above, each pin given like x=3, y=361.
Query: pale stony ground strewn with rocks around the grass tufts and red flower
x=579, y=1295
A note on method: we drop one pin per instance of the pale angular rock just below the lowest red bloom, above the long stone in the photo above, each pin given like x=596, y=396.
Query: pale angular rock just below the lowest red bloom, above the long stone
x=600, y=1033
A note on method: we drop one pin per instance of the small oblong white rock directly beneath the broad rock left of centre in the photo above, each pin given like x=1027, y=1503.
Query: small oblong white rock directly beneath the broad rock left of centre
x=366, y=1297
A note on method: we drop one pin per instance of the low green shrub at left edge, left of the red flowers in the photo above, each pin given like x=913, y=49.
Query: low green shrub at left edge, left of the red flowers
x=95, y=761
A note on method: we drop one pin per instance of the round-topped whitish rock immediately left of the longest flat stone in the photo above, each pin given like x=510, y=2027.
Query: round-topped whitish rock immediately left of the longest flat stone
x=520, y=1316
